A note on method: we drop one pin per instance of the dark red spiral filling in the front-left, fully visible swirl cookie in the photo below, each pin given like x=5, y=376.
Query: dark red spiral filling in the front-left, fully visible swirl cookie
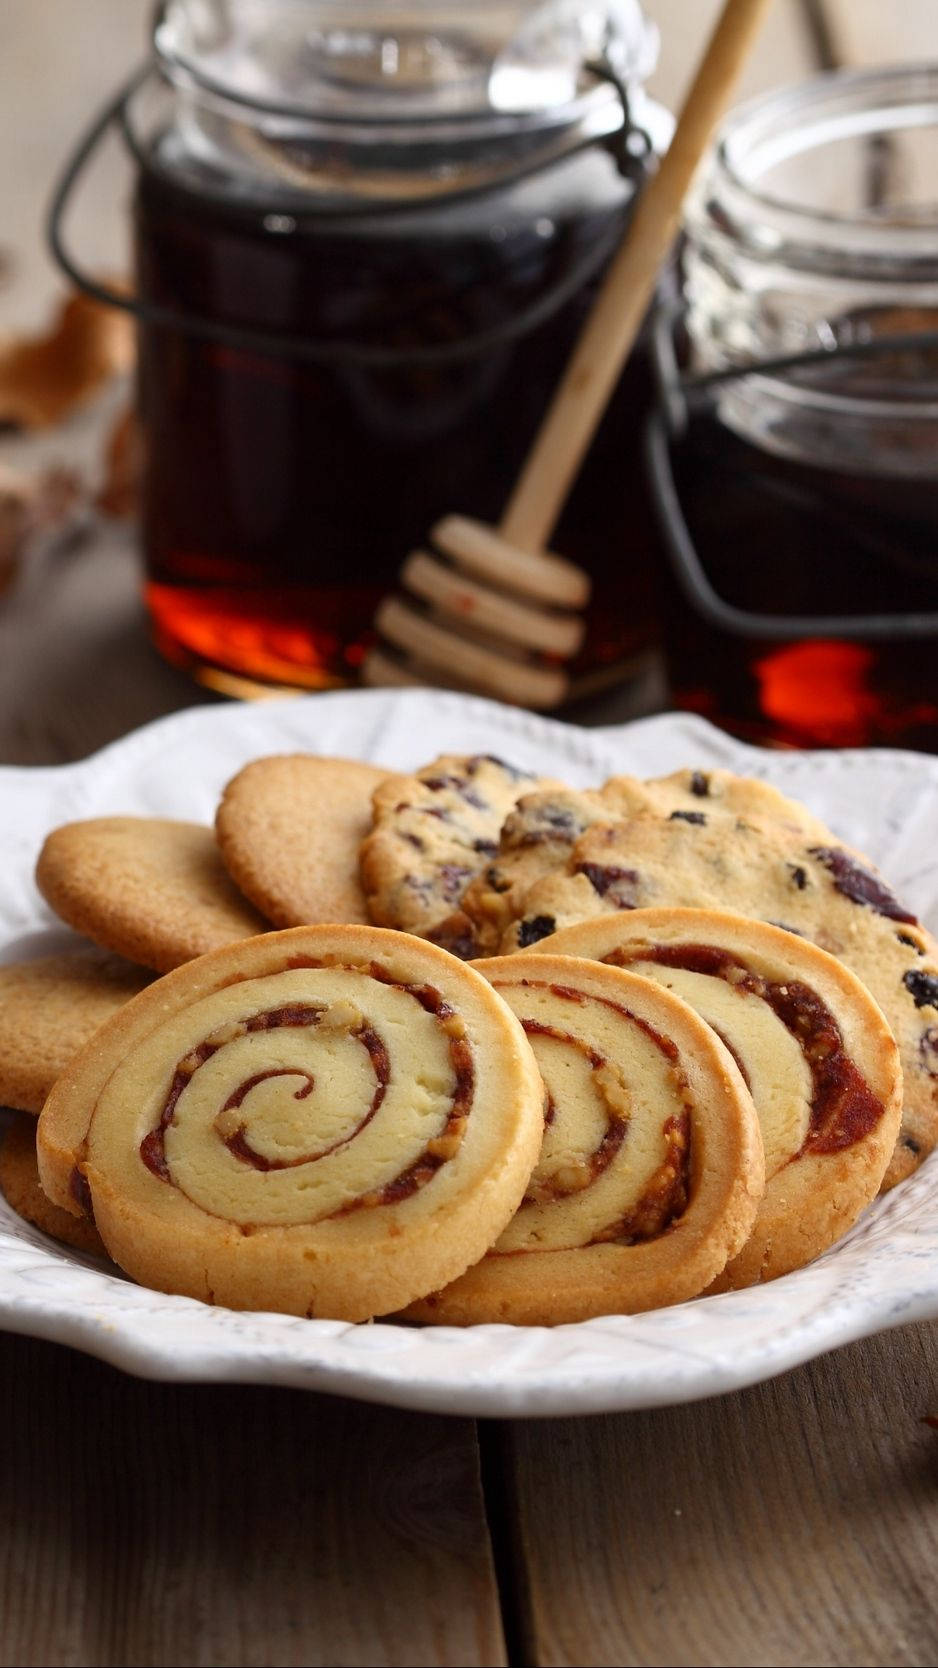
x=343, y=1020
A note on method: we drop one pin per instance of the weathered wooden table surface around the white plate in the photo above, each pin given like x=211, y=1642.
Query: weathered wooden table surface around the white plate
x=158, y=1524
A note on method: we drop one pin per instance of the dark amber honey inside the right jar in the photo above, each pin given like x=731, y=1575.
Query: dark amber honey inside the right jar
x=780, y=538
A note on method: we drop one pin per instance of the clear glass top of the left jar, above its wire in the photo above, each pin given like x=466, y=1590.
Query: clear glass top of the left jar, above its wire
x=376, y=61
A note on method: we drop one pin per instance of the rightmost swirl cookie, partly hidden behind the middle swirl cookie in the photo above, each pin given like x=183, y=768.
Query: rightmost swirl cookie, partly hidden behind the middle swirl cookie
x=814, y=1047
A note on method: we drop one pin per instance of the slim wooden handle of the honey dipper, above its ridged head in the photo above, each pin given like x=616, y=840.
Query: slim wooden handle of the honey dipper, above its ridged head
x=617, y=316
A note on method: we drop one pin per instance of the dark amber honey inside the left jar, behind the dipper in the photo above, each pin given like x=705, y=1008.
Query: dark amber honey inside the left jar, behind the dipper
x=285, y=495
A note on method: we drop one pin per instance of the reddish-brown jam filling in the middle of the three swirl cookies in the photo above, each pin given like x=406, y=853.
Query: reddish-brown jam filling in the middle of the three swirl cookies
x=665, y=1195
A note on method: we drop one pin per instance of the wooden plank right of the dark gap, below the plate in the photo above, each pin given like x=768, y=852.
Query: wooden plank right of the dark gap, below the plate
x=790, y=1524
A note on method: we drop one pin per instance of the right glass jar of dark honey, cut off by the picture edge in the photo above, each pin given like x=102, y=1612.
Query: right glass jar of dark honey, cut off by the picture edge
x=795, y=455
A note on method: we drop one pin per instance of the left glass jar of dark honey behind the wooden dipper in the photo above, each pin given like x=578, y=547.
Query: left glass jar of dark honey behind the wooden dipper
x=366, y=236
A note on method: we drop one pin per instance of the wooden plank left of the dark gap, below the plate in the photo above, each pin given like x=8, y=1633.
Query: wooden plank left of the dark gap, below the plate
x=161, y=1524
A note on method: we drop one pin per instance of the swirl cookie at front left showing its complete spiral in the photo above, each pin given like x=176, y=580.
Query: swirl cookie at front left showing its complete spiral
x=325, y=1122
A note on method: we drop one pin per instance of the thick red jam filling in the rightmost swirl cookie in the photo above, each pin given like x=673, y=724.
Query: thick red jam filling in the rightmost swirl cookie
x=844, y=1108
